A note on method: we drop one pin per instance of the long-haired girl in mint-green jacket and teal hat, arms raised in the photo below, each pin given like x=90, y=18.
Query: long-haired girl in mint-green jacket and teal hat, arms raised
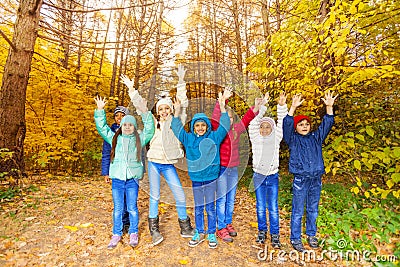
x=126, y=166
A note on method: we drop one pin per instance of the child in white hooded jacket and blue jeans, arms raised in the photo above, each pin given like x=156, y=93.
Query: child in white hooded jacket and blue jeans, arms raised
x=266, y=136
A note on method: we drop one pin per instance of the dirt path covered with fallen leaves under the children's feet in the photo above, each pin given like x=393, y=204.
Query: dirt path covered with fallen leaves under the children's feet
x=65, y=221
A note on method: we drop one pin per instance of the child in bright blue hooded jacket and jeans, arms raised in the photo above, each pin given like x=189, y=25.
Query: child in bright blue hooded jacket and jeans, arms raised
x=203, y=160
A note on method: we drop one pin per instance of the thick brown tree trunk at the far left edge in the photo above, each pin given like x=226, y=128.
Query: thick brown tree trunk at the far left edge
x=14, y=84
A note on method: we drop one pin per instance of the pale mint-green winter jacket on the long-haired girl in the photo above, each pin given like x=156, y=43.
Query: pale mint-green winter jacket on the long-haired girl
x=125, y=164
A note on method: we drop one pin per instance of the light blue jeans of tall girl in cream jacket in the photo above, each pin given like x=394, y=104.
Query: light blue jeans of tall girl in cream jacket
x=172, y=179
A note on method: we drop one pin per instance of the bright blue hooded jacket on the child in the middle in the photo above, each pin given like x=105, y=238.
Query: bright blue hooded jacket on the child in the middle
x=202, y=152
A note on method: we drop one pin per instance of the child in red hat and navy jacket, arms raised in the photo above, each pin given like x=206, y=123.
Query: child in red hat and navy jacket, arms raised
x=307, y=165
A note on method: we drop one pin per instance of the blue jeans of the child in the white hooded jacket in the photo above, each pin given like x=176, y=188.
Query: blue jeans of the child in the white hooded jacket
x=267, y=192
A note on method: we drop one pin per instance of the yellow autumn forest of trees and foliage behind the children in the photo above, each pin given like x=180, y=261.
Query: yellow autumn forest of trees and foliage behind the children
x=56, y=55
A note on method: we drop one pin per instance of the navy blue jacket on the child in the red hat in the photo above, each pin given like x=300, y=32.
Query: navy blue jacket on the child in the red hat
x=306, y=150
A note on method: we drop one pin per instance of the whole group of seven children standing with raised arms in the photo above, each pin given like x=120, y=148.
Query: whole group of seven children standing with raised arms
x=212, y=154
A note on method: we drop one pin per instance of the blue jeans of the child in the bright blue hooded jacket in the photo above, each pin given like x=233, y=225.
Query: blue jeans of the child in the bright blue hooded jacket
x=204, y=195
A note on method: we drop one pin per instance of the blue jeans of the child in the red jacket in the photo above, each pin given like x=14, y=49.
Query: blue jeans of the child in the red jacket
x=226, y=192
